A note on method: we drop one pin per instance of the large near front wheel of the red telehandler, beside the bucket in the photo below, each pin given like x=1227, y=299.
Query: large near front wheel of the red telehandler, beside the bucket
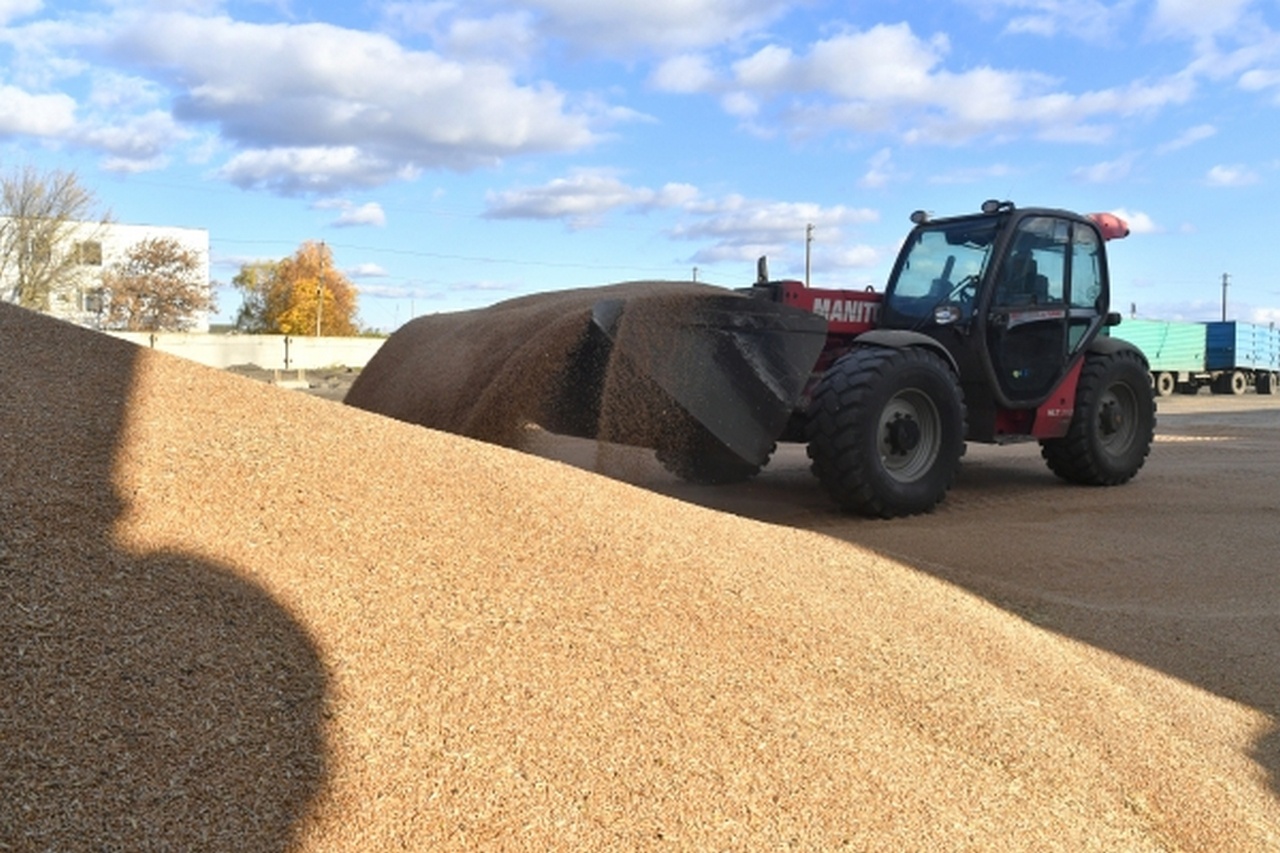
x=886, y=431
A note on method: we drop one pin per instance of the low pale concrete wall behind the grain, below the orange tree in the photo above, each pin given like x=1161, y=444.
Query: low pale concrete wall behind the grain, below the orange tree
x=269, y=352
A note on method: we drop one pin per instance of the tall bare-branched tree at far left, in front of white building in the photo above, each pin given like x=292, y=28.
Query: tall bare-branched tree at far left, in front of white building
x=44, y=218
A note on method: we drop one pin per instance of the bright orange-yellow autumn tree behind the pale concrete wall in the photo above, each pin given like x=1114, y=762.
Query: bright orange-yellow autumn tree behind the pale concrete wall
x=304, y=294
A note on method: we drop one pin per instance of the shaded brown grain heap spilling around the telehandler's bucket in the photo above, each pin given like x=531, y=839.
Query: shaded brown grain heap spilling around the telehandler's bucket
x=492, y=372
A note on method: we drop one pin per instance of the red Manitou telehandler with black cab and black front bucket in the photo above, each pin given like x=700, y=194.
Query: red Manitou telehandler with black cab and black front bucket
x=990, y=330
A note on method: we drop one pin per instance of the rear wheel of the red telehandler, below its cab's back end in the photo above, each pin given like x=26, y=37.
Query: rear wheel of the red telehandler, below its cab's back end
x=1114, y=425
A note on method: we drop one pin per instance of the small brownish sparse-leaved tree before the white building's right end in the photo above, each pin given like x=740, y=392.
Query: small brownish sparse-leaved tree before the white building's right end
x=157, y=288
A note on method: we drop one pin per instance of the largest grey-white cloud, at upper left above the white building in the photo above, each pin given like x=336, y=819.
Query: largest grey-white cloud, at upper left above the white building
x=336, y=107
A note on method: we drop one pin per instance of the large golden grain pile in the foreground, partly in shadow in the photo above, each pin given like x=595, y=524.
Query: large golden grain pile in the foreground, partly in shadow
x=235, y=618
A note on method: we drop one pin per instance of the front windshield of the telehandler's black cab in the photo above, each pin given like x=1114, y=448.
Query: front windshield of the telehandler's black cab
x=943, y=263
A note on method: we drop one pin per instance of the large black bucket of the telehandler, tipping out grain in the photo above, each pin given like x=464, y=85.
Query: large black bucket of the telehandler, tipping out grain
x=734, y=364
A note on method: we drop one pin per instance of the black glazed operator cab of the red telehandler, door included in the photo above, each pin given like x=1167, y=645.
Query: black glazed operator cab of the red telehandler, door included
x=1013, y=295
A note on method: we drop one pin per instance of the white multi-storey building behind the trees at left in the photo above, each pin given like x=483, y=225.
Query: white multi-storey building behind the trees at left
x=97, y=248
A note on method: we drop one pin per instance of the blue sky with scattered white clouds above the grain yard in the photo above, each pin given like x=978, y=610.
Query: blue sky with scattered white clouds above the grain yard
x=458, y=154
